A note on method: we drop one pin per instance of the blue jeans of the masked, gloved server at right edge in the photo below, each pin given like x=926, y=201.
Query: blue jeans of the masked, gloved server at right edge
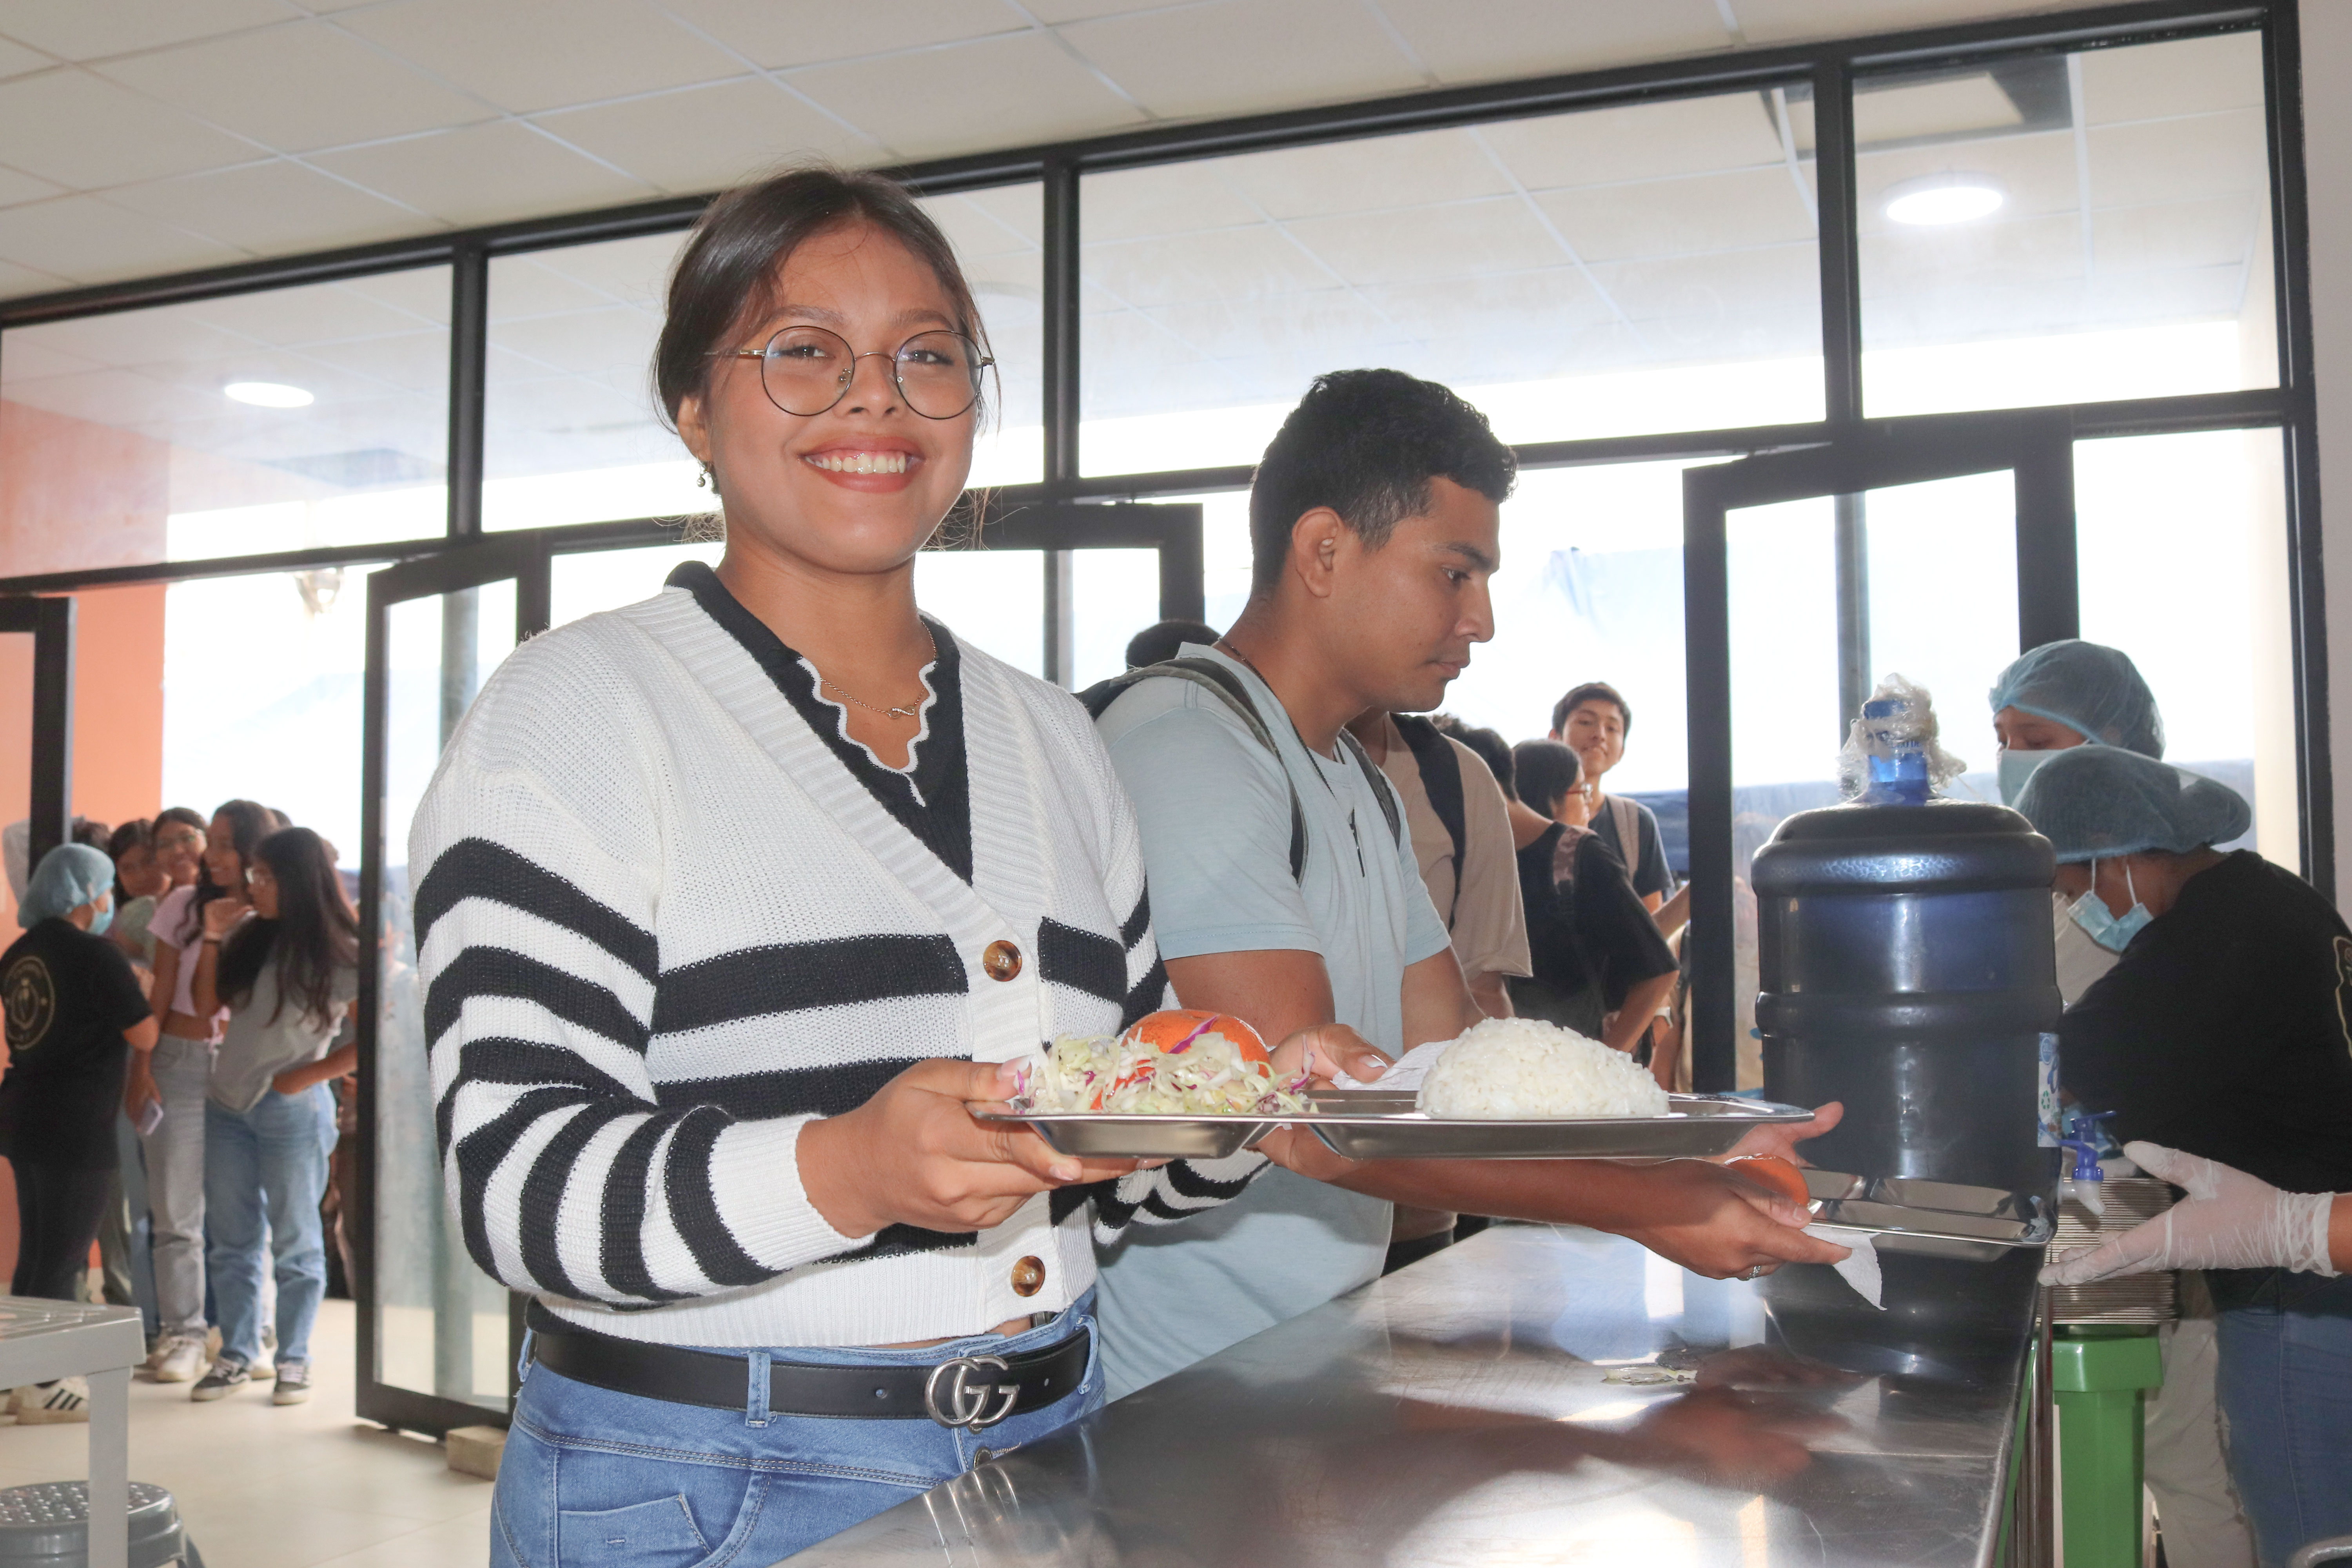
x=2287, y=1386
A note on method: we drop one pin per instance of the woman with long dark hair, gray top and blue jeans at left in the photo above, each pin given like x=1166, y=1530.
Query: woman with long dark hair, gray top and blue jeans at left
x=288, y=972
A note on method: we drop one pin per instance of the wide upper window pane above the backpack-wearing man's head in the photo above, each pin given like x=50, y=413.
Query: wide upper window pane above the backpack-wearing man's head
x=1593, y=274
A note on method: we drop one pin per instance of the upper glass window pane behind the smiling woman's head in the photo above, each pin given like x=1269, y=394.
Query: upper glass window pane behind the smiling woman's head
x=575, y=434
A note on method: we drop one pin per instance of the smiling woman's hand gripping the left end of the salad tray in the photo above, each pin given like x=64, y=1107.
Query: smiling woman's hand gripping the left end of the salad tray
x=916, y=1155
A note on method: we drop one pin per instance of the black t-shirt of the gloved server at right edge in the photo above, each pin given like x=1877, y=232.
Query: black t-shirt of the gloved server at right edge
x=2226, y=1028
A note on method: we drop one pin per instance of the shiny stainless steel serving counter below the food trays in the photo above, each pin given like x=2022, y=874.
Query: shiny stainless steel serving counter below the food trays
x=1532, y=1398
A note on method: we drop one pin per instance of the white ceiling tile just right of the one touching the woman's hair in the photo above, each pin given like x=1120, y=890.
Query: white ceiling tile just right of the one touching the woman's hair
x=973, y=98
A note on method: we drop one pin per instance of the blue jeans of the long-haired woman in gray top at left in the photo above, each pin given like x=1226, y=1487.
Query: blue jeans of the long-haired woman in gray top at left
x=267, y=1165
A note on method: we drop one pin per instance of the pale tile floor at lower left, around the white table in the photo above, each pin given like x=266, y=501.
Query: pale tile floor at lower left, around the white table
x=298, y=1487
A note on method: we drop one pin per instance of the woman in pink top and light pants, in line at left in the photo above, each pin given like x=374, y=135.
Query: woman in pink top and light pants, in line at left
x=175, y=1073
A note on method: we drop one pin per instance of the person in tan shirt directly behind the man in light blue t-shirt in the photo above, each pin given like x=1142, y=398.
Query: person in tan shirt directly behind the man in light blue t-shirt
x=1462, y=840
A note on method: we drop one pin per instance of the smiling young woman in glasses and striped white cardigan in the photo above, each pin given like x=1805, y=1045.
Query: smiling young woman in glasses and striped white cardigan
x=730, y=902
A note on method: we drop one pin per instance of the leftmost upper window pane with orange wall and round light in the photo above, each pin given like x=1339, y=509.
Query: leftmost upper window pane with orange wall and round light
x=262, y=422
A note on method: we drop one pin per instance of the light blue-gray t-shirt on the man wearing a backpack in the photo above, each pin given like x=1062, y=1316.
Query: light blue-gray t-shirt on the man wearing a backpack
x=1217, y=833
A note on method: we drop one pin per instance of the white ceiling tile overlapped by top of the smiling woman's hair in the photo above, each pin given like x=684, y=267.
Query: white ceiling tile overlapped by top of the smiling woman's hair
x=709, y=138
